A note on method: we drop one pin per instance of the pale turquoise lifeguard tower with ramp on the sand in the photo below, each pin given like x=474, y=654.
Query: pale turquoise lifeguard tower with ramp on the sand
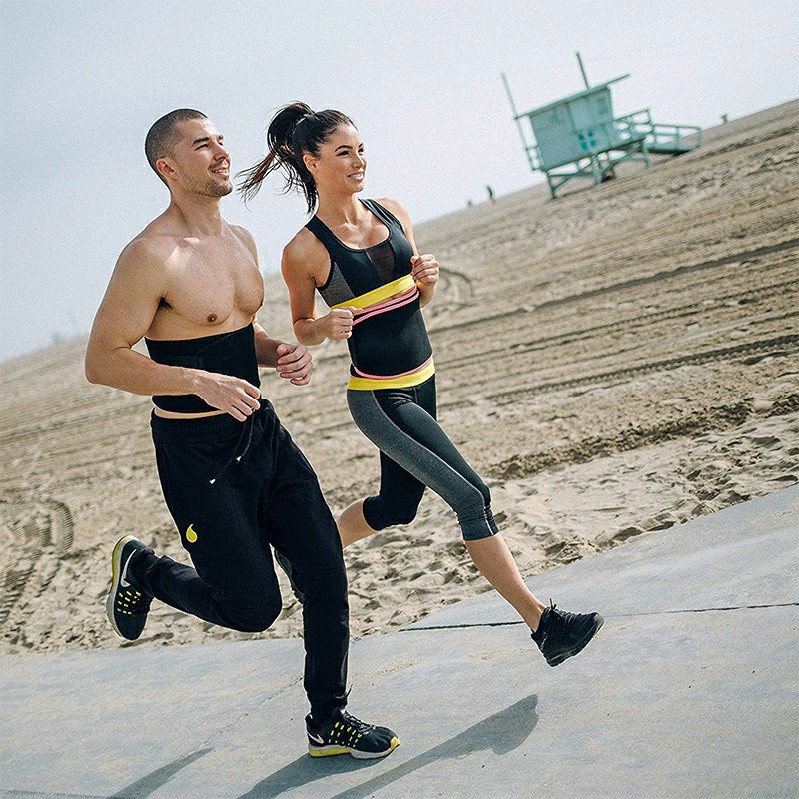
x=578, y=136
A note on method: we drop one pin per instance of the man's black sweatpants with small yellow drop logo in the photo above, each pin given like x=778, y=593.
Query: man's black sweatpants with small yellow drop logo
x=233, y=488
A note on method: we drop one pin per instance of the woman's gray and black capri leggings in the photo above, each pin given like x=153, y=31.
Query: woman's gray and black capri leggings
x=415, y=452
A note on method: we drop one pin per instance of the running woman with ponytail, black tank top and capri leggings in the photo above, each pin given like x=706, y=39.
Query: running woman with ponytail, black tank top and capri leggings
x=361, y=257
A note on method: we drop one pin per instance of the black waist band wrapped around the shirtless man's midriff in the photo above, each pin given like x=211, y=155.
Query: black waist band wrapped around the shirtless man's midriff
x=225, y=353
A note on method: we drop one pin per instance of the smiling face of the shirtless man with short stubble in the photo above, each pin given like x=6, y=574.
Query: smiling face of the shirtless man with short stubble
x=201, y=164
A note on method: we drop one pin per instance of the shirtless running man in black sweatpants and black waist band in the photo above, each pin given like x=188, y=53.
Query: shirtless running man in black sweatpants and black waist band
x=233, y=479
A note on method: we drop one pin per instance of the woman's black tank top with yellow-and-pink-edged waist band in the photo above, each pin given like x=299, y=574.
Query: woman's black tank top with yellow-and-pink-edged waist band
x=389, y=337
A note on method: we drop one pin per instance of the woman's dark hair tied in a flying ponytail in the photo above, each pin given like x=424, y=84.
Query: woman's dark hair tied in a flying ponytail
x=294, y=130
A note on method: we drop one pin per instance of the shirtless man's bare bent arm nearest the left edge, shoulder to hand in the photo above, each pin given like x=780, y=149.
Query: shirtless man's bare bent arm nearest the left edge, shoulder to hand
x=124, y=316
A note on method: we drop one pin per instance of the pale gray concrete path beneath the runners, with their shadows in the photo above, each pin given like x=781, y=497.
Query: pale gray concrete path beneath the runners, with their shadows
x=690, y=690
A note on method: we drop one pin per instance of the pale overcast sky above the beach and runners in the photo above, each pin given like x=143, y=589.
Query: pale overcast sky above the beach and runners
x=82, y=82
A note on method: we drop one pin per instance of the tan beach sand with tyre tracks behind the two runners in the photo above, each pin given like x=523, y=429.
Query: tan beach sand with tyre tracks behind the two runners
x=613, y=363
